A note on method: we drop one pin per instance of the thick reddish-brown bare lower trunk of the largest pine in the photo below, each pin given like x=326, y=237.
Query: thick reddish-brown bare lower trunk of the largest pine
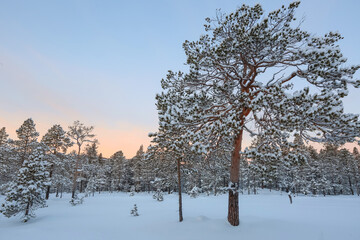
x=233, y=208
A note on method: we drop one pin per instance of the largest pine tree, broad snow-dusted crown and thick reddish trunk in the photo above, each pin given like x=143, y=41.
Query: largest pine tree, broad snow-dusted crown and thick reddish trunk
x=226, y=92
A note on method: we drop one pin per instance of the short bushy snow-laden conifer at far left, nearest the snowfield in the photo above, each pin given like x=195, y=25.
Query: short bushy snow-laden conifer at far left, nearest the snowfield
x=27, y=193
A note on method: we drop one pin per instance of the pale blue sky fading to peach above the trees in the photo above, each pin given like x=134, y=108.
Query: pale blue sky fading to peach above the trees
x=101, y=62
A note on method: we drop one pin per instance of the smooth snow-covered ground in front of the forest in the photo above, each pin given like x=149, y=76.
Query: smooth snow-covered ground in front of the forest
x=264, y=216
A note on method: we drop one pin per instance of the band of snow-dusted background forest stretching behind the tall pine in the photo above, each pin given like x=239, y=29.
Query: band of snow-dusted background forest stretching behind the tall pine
x=33, y=167
